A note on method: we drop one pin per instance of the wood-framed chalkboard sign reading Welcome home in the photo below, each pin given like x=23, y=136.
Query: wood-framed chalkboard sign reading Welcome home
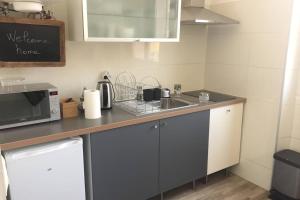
x=31, y=42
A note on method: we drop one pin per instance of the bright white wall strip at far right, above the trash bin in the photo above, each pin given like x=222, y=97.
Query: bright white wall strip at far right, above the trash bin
x=289, y=135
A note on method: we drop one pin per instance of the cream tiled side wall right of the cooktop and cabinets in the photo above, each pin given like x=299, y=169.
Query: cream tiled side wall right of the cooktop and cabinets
x=248, y=60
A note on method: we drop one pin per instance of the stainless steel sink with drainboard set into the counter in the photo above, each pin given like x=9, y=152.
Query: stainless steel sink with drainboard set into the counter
x=140, y=108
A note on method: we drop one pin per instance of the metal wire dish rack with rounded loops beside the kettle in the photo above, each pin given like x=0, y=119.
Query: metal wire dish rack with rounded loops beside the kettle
x=126, y=86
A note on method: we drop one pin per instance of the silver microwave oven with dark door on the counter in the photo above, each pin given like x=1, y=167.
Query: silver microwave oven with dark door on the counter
x=27, y=104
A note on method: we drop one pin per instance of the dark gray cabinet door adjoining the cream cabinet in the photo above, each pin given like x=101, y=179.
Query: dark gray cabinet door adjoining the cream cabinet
x=183, y=149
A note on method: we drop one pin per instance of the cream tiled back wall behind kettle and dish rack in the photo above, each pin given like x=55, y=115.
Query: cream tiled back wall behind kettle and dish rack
x=182, y=62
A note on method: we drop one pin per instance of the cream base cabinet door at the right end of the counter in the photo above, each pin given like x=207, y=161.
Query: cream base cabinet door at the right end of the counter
x=224, y=137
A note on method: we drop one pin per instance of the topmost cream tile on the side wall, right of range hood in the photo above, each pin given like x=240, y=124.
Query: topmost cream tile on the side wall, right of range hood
x=258, y=15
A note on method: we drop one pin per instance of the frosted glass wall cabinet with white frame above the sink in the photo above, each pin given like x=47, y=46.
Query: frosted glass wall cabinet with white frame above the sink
x=121, y=20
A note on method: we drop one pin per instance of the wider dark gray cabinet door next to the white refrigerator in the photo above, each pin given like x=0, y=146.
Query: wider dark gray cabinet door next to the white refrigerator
x=125, y=163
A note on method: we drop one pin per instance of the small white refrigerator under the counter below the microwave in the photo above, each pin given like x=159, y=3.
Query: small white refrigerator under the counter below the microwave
x=53, y=171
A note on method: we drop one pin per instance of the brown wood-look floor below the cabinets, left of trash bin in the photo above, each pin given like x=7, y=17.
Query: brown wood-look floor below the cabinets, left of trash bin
x=219, y=187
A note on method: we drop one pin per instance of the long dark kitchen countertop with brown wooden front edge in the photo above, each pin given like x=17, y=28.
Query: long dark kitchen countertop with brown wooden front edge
x=115, y=118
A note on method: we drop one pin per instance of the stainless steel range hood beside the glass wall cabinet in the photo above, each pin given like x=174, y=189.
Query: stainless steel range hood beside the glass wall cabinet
x=194, y=12
